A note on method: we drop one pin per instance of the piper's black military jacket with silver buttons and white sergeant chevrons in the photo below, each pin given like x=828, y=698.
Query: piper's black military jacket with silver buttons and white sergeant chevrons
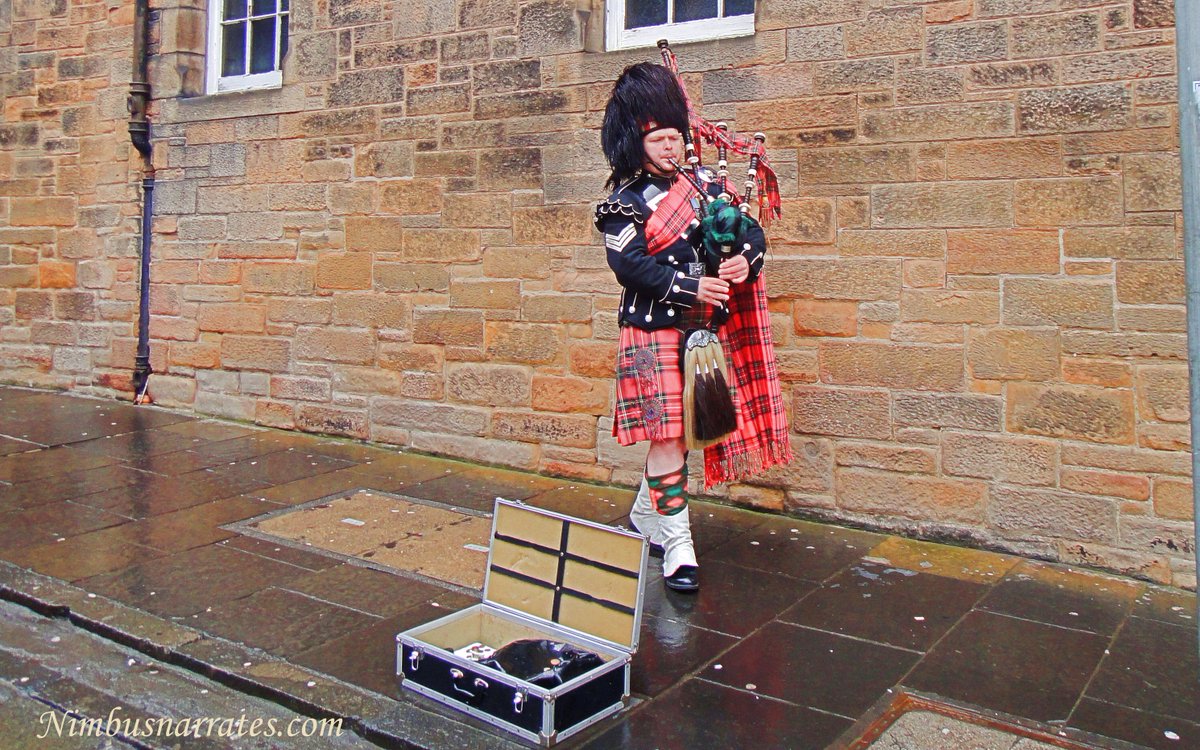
x=657, y=290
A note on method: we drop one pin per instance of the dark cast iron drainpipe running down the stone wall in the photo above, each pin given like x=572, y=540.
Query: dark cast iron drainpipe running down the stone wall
x=140, y=134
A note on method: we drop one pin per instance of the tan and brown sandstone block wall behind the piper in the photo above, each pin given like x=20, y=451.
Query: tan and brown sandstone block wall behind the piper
x=977, y=284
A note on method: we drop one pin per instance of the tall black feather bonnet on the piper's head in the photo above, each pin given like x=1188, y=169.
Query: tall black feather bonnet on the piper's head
x=645, y=94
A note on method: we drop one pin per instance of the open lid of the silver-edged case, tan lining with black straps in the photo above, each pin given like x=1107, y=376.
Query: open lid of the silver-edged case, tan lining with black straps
x=581, y=575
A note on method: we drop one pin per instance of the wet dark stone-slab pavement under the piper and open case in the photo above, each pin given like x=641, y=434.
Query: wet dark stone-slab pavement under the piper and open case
x=134, y=524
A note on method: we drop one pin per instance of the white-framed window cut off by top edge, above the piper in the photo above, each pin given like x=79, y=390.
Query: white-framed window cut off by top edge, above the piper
x=643, y=23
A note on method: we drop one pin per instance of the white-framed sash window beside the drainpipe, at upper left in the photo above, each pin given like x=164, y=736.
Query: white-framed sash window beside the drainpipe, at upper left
x=248, y=40
